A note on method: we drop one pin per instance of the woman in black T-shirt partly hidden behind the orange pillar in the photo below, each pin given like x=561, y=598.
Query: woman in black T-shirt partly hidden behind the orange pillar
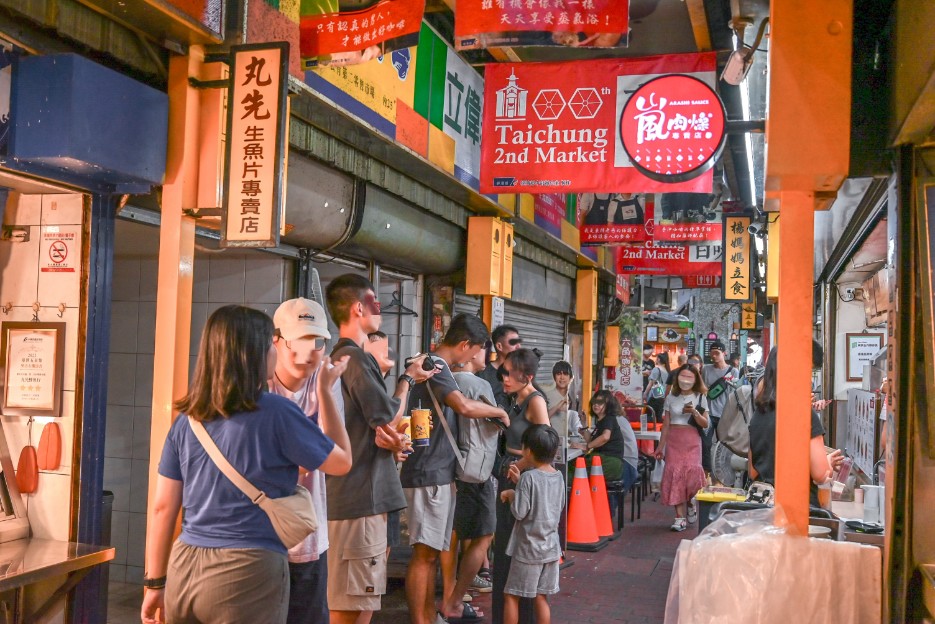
x=762, y=454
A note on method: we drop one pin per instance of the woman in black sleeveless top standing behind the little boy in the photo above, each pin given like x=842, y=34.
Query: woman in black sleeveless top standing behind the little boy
x=528, y=407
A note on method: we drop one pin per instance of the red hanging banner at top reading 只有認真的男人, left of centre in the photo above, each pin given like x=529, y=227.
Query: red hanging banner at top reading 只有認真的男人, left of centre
x=329, y=35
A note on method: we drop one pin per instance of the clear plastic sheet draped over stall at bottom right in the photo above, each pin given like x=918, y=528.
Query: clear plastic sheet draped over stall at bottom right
x=743, y=568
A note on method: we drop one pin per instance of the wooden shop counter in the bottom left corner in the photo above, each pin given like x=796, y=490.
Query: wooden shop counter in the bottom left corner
x=58, y=566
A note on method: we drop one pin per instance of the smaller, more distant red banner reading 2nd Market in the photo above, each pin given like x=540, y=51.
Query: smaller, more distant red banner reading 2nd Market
x=652, y=259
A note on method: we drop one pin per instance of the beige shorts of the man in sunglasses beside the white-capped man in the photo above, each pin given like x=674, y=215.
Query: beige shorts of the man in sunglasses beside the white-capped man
x=357, y=563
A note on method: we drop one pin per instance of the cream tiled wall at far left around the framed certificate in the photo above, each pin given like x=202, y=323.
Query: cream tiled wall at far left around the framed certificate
x=23, y=283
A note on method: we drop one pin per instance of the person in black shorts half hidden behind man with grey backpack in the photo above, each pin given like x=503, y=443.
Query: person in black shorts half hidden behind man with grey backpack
x=475, y=506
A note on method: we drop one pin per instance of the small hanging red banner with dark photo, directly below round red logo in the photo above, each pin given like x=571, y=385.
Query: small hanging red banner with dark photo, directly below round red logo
x=687, y=218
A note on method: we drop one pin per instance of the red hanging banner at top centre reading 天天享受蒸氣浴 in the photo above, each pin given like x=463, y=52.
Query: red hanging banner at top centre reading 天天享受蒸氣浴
x=515, y=23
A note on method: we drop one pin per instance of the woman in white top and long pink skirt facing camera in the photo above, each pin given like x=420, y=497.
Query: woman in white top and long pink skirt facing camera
x=683, y=417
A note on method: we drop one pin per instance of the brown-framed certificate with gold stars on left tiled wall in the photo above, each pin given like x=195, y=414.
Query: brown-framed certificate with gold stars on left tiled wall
x=32, y=364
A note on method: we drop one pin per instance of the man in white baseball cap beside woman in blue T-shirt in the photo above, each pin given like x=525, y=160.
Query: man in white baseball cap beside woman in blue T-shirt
x=303, y=374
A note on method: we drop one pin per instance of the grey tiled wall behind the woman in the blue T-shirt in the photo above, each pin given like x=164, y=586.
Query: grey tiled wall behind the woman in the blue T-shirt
x=257, y=279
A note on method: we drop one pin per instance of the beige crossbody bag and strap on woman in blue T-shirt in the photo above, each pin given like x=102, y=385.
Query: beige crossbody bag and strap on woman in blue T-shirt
x=293, y=516
